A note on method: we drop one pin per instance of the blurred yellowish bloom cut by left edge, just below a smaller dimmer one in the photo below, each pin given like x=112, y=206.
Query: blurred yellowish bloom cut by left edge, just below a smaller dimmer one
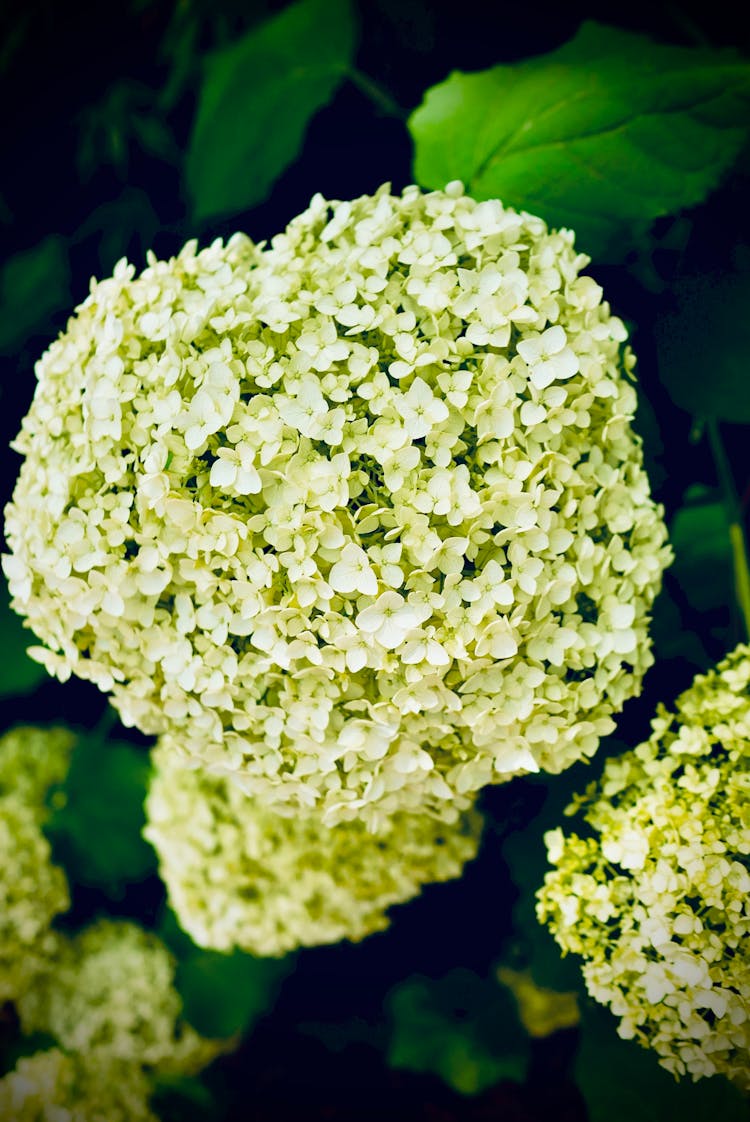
x=33, y=891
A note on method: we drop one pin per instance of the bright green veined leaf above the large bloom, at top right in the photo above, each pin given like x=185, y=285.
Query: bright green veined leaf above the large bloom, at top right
x=605, y=135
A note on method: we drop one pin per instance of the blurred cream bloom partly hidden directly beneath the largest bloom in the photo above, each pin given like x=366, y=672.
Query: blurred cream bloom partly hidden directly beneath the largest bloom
x=239, y=875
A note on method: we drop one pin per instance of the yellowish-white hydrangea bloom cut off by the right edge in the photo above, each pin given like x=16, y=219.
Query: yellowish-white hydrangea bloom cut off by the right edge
x=658, y=900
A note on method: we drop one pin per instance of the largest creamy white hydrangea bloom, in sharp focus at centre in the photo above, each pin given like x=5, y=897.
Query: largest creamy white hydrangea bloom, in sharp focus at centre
x=359, y=518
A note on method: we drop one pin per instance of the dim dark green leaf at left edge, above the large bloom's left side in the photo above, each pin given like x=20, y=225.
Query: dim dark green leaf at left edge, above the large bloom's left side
x=34, y=286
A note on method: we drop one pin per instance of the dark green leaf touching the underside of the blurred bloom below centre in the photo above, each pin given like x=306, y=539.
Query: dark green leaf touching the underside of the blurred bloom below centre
x=223, y=995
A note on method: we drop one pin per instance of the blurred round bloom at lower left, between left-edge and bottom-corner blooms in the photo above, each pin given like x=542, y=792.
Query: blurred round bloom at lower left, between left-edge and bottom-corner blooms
x=111, y=990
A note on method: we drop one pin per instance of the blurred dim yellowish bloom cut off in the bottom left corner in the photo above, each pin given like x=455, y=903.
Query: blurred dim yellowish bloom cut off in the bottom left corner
x=53, y=1087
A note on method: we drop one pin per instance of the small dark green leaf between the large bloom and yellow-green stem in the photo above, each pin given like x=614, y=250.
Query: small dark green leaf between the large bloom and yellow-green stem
x=703, y=553
